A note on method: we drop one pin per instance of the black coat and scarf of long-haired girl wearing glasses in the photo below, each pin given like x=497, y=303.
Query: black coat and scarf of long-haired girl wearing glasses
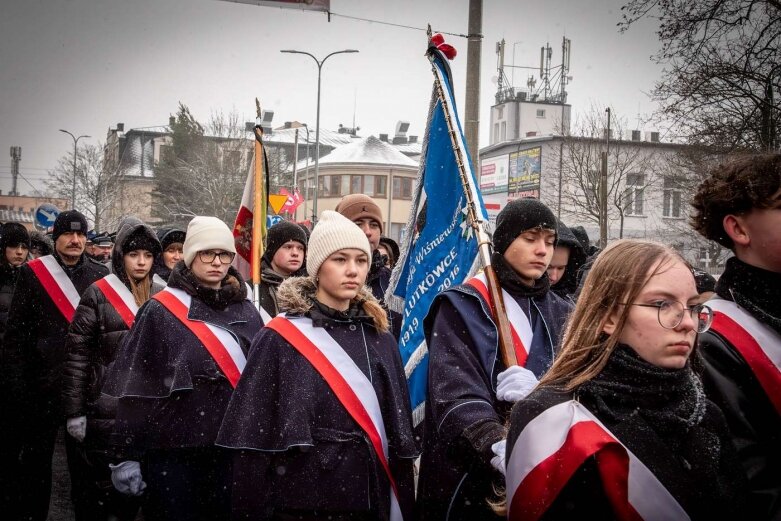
x=663, y=418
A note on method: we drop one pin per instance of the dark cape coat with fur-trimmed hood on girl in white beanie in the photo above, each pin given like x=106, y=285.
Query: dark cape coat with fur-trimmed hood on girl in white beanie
x=303, y=455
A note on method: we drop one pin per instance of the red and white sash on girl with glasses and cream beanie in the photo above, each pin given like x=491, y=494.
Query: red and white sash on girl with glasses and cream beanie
x=220, y=343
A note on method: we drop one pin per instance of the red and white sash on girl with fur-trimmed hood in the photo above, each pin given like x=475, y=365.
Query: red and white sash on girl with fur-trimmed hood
x=346, y=380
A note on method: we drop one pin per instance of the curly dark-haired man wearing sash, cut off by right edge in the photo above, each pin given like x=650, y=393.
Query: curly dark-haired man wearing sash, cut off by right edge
x=739, y=206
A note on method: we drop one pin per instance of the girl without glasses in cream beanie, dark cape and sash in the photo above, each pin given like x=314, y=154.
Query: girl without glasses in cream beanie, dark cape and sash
x=323, y=397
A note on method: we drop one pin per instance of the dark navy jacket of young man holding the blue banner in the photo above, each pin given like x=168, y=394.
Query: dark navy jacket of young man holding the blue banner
x=463, y=417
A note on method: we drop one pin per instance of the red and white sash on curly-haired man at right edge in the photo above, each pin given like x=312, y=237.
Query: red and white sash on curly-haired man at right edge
x=759, y=345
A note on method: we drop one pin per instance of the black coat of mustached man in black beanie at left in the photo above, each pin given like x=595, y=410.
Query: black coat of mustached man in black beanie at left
x=36, y=335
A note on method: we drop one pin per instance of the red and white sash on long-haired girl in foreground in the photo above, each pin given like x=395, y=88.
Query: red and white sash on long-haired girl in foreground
x=556, y=443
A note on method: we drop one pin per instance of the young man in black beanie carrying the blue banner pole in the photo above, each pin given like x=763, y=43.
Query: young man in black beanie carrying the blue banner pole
x=470, y=391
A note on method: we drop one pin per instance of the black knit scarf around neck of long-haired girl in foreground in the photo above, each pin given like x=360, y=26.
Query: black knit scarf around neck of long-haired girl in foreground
x=670, y=400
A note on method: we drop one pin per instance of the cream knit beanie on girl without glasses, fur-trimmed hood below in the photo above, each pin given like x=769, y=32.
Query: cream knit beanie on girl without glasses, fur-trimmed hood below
x=333, y=232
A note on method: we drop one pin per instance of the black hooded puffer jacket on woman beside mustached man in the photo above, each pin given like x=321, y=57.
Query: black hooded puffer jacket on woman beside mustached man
x=93, y=338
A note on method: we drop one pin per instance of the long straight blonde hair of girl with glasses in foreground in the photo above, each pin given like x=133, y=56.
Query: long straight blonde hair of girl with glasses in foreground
x=618, y=275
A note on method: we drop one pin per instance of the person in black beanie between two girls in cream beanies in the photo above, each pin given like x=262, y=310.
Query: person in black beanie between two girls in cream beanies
x=283, y=258
